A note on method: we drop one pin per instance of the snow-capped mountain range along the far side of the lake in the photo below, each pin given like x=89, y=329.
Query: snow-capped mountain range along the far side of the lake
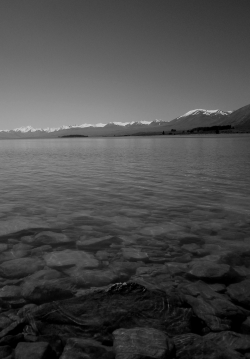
x=239, y=119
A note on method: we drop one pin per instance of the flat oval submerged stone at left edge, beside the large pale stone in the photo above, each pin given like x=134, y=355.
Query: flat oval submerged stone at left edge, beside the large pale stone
x=19, y=268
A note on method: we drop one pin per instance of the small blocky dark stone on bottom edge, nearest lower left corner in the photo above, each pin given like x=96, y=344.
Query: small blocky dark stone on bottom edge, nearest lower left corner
x=38, y=350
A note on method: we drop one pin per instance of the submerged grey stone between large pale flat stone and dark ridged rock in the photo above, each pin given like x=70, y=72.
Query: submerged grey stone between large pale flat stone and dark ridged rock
x=89, y=278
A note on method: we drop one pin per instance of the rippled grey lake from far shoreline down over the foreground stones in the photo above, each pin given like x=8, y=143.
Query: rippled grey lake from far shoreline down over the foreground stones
x=150, y=234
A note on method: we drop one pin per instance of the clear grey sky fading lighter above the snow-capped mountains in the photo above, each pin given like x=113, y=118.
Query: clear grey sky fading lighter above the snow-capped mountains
x=66, y=62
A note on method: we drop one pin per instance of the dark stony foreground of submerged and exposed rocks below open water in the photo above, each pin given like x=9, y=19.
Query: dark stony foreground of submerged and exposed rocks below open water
x=111, y=297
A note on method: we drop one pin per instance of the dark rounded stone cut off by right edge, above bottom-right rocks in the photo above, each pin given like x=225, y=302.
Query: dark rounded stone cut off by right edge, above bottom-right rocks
x=240, y=293
